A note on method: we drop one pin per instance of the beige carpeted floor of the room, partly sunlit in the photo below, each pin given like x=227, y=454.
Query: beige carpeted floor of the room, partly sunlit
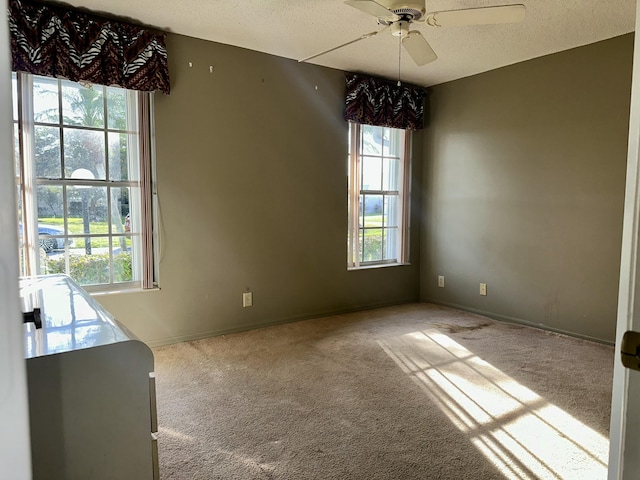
x=408, y=392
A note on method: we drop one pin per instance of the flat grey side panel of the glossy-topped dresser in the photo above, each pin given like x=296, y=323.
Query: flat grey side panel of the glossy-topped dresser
x=91, y=414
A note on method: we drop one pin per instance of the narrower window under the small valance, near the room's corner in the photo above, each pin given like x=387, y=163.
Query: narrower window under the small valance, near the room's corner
x=378, y=195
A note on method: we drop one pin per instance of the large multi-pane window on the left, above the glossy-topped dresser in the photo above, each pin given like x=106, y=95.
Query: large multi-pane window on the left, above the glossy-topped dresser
x=83, y=177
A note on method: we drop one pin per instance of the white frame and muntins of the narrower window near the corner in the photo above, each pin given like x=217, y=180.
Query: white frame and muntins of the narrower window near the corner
x=401, y=257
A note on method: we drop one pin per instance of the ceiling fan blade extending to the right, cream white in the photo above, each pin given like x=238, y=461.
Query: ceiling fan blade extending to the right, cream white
x=476, y=16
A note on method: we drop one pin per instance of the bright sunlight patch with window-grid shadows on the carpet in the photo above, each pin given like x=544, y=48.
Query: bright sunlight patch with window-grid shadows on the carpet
x=521, y=433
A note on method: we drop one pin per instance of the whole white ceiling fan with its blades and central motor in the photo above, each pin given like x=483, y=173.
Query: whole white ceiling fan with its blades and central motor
x=398, y=15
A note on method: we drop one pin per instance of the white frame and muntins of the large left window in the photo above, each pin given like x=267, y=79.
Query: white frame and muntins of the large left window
x=142, y=207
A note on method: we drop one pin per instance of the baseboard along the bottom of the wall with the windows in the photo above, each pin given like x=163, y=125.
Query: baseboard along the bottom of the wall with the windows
x=272, y=323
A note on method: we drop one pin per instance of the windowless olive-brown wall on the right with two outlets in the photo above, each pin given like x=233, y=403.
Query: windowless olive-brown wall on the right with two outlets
x=524, y=189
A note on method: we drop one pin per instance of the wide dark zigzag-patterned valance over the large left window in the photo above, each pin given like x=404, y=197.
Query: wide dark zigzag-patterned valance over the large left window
x=58, y=42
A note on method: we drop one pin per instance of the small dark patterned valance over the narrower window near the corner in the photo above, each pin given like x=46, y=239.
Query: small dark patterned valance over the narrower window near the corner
x=375, y=101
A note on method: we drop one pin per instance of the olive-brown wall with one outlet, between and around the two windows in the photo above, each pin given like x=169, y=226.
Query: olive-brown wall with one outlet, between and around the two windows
x=252, y=181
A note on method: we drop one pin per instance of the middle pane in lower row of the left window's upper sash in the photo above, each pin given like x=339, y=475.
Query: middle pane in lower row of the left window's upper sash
x=84, y=149
